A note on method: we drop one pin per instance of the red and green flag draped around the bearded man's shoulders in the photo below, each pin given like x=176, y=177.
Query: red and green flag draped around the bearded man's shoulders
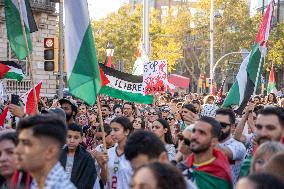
x=214, y=175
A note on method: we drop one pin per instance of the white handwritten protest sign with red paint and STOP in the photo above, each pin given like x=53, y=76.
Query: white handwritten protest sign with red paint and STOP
x=155, y=76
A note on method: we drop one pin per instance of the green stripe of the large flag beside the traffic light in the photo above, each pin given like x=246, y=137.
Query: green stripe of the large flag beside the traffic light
x=85, y=81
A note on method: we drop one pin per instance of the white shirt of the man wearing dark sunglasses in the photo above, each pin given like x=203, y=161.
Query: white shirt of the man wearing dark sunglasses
x=239, y=151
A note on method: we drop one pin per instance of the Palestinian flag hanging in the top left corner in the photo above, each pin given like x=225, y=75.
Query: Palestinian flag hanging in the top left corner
x=14, y=27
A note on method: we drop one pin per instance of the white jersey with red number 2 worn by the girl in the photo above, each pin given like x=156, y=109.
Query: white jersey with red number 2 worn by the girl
x=124, y=173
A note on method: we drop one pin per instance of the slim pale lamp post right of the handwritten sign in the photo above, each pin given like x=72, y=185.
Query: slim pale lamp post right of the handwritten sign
x=211, y=43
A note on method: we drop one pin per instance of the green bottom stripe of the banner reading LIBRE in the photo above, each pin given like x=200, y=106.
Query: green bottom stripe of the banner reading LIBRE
x=131, y=97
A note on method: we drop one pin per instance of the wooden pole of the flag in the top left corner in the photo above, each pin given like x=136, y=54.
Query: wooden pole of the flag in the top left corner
x=28, y=50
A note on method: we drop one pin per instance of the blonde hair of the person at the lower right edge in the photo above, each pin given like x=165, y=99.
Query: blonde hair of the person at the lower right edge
x=267, y=147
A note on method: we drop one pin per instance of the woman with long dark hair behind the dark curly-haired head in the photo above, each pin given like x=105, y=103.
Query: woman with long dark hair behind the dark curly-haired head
x=162, y=129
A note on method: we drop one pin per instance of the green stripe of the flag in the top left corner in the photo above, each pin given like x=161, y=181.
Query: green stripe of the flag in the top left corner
x=14, y=31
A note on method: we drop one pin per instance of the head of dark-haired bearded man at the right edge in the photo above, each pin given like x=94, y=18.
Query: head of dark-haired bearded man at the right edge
x=270, y=125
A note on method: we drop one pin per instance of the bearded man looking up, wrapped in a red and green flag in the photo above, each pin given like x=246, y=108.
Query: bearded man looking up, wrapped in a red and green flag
x=208, y=167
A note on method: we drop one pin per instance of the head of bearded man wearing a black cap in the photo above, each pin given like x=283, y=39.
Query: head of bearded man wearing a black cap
x=70, y=108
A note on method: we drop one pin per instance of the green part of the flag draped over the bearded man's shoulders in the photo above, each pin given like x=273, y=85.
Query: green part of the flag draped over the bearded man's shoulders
x=206, y=181
